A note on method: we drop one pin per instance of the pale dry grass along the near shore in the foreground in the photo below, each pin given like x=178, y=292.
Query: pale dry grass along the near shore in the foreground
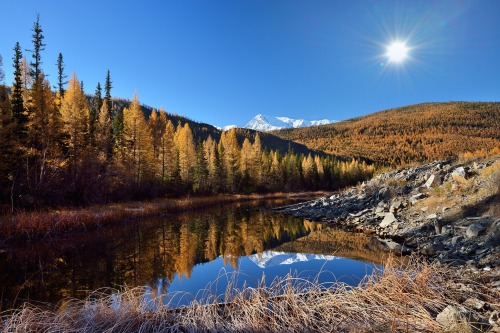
x=397, y=299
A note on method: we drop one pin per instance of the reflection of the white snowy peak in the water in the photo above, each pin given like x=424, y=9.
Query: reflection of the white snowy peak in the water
x=273, y=258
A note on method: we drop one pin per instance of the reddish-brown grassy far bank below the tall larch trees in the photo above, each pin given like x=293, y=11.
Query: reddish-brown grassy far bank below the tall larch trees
x=31, y=225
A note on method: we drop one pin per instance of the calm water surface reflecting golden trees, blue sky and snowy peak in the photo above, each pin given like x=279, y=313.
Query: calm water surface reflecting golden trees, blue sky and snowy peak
x=184, y=253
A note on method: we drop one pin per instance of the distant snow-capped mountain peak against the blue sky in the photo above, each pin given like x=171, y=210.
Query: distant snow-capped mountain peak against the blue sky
x=268, y=123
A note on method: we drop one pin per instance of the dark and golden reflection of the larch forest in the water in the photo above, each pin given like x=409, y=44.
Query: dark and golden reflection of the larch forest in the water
x=147, y=252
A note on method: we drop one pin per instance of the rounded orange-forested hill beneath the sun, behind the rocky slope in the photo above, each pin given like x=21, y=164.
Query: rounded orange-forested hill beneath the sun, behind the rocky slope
x=415, y=133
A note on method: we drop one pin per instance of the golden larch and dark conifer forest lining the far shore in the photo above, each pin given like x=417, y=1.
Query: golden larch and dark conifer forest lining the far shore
x=62, y=147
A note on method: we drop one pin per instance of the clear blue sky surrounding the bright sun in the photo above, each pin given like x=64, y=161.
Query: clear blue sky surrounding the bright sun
x=224, y=61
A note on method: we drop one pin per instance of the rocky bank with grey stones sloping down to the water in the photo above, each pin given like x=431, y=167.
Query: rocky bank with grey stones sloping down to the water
x=446, y=211
